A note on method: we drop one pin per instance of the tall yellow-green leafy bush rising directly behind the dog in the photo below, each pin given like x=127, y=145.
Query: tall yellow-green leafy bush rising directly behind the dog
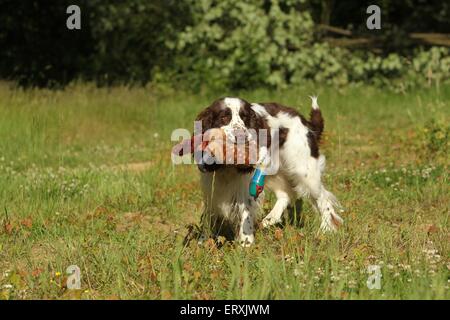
x=243, y=44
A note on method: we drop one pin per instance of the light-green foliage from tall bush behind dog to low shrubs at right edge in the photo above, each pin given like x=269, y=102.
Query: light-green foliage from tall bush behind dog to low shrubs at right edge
x=274, y=46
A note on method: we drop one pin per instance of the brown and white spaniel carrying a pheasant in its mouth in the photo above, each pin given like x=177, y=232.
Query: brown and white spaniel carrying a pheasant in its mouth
x=229, y=210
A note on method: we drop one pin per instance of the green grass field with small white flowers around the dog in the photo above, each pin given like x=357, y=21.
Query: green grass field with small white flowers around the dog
x=86, y=179
